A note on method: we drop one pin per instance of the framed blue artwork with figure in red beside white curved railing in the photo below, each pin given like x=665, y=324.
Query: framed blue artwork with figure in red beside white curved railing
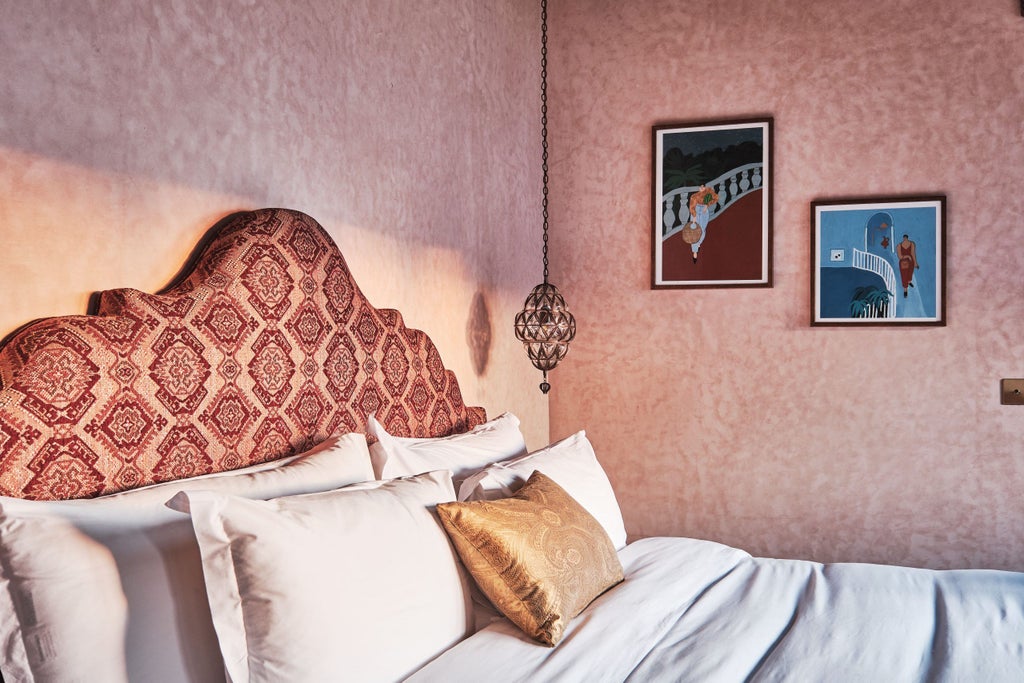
x=879, y=262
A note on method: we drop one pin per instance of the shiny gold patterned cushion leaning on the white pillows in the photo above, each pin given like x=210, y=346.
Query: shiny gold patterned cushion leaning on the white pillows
x=540, y=557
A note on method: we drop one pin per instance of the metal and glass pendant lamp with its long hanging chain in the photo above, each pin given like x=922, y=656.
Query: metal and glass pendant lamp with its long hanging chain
x=545, y=325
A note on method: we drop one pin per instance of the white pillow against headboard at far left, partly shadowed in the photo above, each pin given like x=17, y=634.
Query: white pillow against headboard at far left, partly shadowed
x=111, y=589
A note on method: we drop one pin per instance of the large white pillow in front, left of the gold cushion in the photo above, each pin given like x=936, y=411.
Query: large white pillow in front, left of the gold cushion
x=351, y=585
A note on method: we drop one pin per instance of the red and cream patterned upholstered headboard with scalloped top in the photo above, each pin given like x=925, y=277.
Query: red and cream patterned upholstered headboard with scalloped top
x=263, y=347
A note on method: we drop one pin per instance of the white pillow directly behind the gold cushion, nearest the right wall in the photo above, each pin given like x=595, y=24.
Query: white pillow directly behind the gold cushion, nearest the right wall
x=572, y=464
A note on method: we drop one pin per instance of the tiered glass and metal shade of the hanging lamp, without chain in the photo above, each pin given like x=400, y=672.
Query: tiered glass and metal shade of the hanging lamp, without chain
x=545, y=327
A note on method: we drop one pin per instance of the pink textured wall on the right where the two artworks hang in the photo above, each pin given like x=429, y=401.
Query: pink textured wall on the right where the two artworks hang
x=721, y=414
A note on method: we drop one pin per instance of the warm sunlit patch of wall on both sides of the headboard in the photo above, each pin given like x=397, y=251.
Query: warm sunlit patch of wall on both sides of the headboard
x=68, y=232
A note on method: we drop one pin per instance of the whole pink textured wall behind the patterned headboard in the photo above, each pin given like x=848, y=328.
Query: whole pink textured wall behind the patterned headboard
x=408, y=131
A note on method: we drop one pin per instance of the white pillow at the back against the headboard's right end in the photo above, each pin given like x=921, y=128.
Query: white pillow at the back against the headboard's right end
x=462, y=454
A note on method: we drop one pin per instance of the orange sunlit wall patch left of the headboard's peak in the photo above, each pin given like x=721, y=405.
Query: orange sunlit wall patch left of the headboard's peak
x=68, y=232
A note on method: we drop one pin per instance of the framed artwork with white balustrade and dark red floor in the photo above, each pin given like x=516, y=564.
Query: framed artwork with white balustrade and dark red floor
x=712, y=204
